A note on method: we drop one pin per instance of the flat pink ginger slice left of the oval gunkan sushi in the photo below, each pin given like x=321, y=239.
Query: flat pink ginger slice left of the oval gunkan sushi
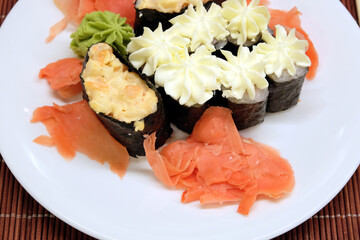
x=75, y=127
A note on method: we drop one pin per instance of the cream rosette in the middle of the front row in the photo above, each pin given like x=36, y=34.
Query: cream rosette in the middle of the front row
x=242, y=74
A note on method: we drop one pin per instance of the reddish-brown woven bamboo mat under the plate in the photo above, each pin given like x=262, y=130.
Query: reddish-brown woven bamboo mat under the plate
x=21, y=217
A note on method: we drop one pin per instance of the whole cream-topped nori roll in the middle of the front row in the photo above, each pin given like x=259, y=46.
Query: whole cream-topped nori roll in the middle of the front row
x=244, y=87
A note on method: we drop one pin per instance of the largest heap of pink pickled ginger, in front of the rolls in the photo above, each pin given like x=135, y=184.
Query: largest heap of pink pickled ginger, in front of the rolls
x=217, y=165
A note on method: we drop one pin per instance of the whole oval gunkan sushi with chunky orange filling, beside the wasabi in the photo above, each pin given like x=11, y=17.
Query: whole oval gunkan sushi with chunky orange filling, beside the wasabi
x=128, y=106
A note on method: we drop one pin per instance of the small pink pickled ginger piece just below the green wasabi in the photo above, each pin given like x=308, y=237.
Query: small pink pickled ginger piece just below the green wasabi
x=64, y=76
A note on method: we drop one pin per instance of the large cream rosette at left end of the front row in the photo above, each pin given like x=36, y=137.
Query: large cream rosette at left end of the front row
x=190, y=79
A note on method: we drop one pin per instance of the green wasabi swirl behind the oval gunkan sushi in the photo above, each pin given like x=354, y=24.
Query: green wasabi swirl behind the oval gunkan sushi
x=101, y=27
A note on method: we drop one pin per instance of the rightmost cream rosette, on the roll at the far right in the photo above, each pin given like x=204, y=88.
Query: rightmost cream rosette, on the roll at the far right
x=283, y=52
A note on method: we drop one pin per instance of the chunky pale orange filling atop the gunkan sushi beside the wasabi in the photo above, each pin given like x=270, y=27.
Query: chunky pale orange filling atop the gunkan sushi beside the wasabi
x=115, y=91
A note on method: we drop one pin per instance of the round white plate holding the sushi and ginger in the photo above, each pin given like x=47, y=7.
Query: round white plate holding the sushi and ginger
x=319, y=137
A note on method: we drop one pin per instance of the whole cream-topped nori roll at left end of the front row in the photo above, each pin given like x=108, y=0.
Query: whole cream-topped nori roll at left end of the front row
x=189, y=83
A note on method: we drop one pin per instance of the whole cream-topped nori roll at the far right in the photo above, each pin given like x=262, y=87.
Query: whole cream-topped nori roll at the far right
x=286, y=65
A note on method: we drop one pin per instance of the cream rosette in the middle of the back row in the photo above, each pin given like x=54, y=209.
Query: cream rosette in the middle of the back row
x=201, y=26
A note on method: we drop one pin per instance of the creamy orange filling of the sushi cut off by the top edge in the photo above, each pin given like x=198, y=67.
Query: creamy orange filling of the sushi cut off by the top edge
x=166, y=6
